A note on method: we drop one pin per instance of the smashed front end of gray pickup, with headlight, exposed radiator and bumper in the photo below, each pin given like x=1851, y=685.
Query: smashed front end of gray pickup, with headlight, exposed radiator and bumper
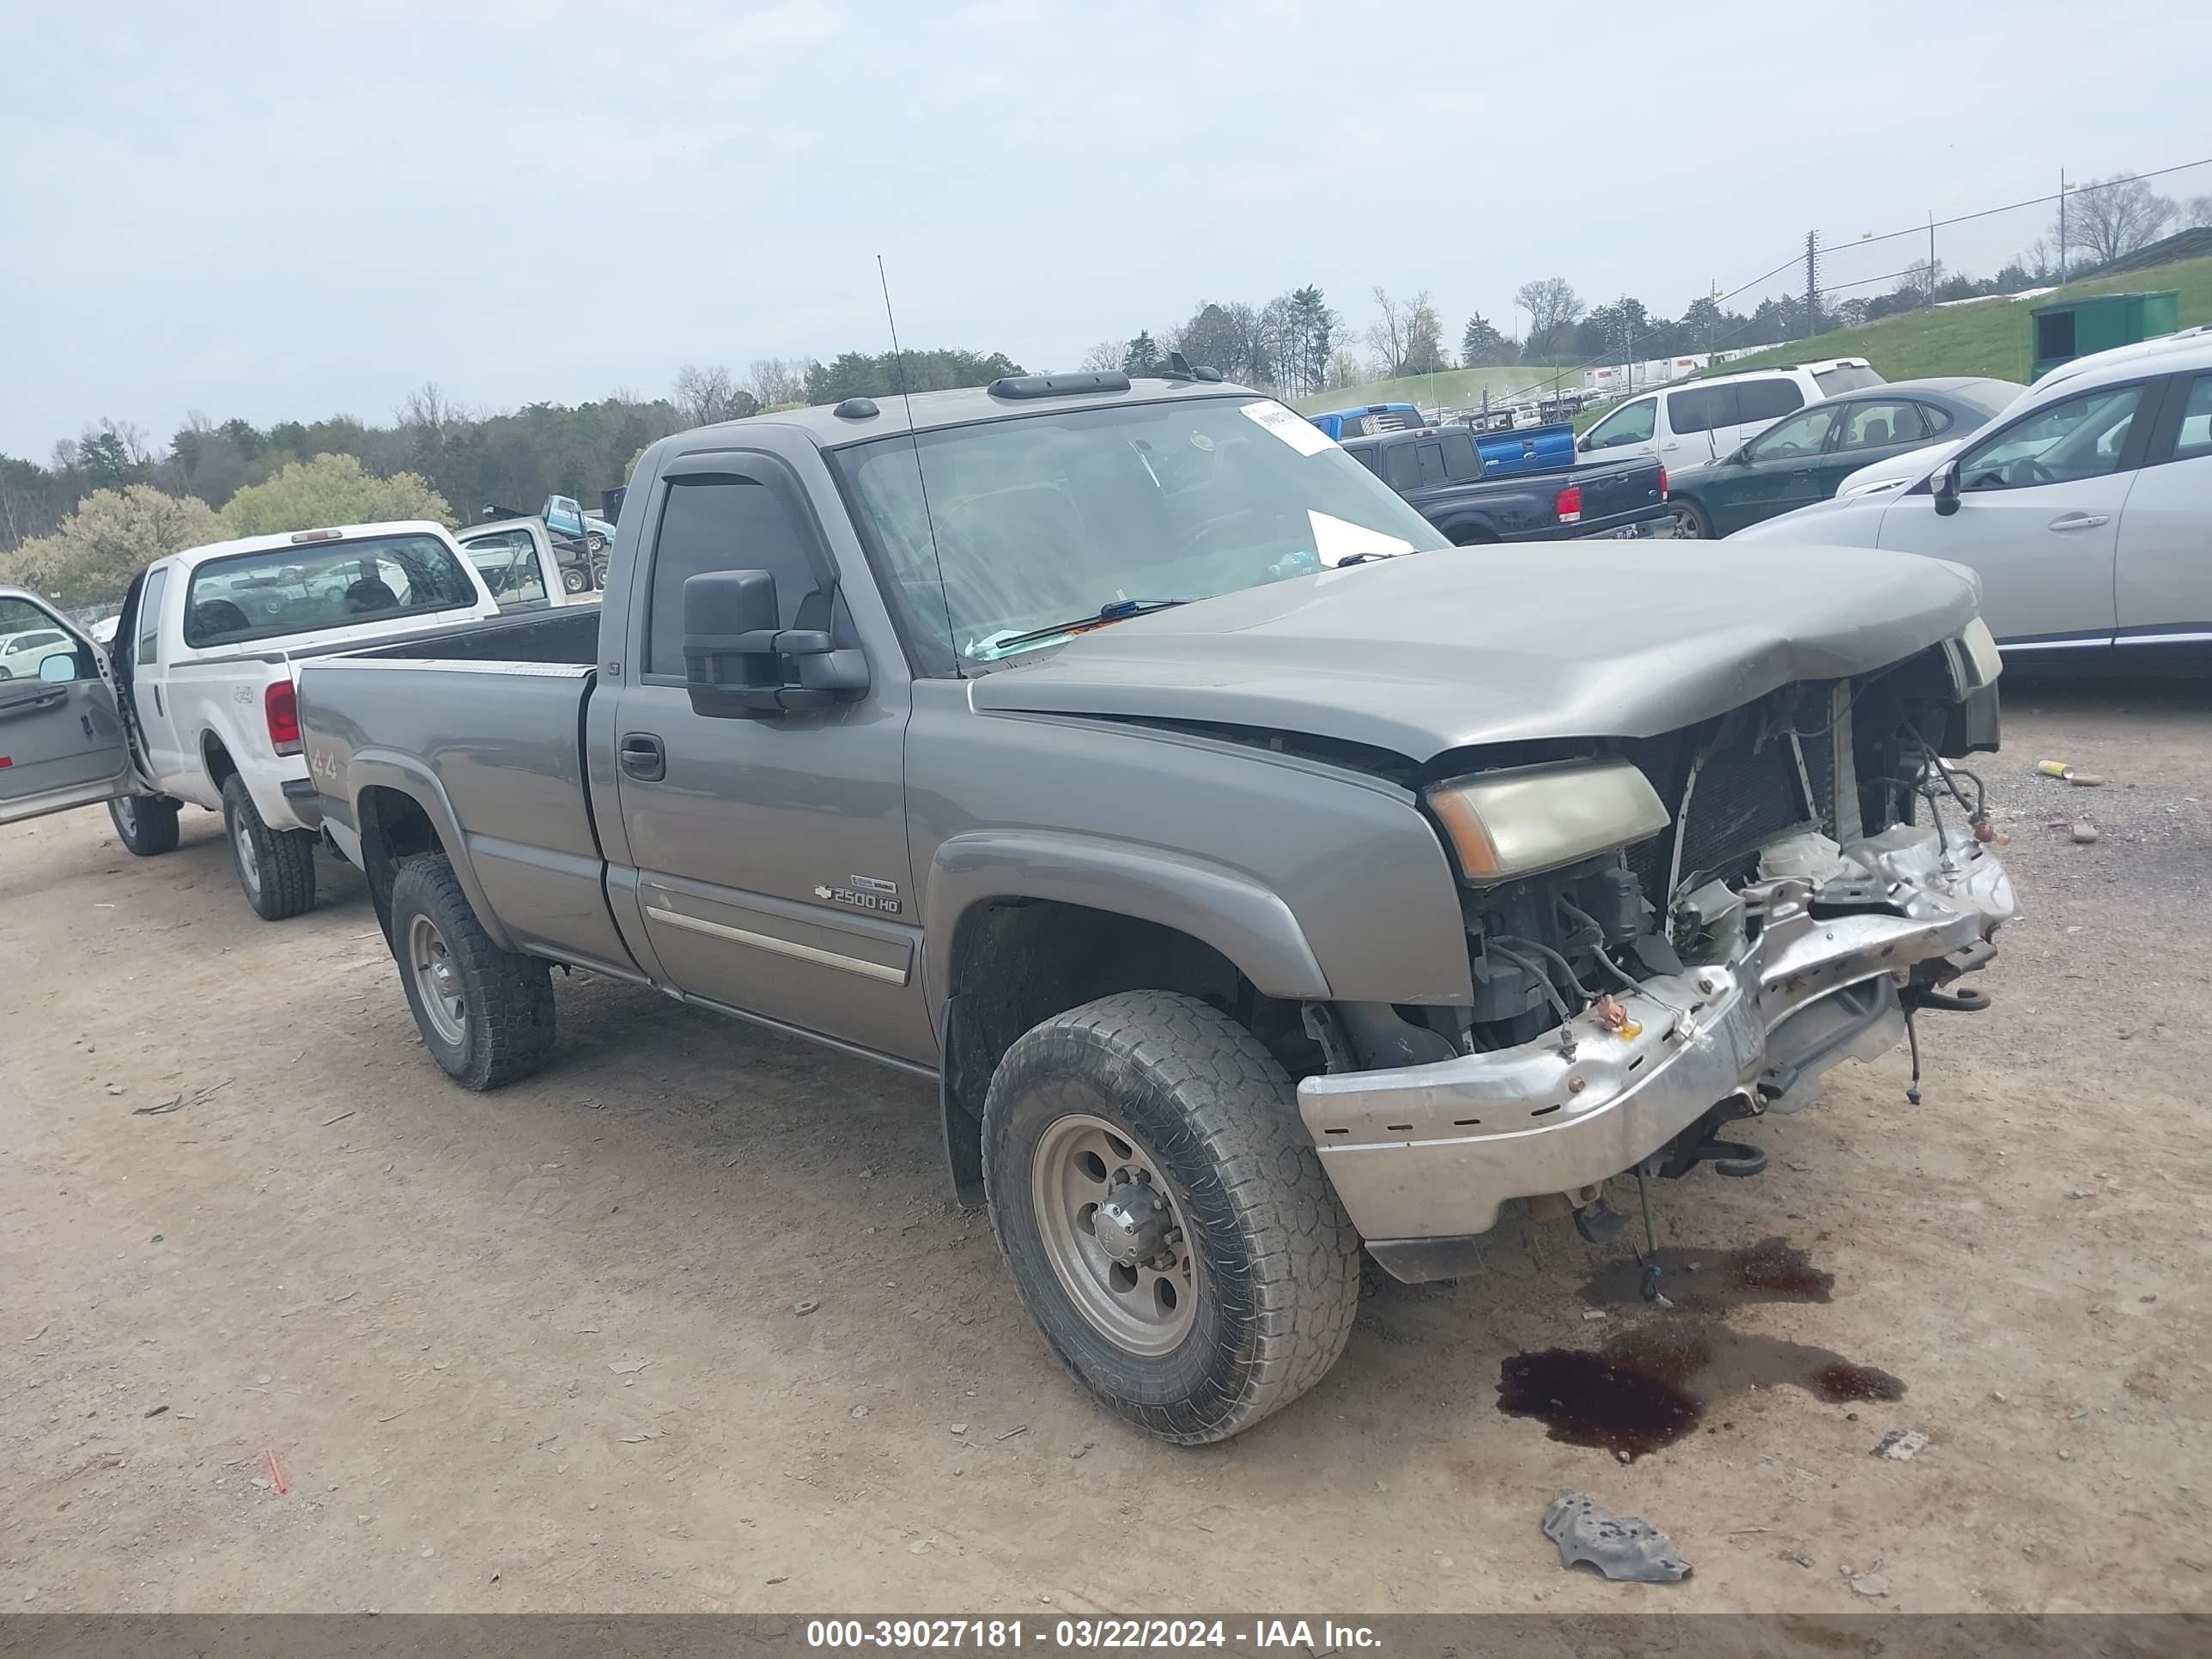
x=1665, y=937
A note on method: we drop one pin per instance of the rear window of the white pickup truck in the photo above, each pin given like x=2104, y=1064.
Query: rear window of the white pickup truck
x=322, y=585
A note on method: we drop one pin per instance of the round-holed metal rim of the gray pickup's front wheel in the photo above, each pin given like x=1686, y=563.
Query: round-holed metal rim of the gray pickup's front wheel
x=1116, y=1235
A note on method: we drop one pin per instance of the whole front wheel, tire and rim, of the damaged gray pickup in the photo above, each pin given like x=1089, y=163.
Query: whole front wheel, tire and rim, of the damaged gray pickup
x=1165, y=1215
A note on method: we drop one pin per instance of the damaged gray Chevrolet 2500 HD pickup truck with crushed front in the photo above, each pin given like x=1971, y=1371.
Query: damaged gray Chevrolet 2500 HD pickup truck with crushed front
x=1260, y=877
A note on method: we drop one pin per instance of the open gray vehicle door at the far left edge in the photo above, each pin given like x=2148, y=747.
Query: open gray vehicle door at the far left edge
x=61, y=738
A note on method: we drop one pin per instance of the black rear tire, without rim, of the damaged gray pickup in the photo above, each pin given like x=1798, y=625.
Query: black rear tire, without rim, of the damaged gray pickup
x=505, y=1025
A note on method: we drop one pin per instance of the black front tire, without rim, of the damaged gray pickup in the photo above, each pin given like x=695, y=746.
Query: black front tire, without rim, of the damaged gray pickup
x=1211, y=1109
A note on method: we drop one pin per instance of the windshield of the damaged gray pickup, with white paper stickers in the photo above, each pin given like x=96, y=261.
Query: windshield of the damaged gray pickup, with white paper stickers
x=1054, y=517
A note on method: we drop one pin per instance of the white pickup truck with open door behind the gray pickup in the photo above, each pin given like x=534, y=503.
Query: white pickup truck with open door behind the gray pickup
x=196, y=700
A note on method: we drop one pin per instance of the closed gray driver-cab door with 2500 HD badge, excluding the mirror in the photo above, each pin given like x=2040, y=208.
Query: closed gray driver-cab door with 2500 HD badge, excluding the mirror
x=769, y=855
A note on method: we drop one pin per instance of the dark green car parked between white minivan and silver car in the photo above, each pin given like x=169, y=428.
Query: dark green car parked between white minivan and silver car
x=1802, y=459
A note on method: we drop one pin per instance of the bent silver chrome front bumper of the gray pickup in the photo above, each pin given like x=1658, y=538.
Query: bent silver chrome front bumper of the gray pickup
x=1434, y=1151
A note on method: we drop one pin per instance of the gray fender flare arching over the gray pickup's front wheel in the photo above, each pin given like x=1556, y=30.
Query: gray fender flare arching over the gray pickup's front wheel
x=1222, y=908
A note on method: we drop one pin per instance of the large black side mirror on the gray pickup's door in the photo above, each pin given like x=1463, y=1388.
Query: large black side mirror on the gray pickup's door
x=740, y=665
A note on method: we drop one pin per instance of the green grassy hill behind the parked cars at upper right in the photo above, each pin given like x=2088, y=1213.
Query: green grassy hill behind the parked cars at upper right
x=1987, y=337
